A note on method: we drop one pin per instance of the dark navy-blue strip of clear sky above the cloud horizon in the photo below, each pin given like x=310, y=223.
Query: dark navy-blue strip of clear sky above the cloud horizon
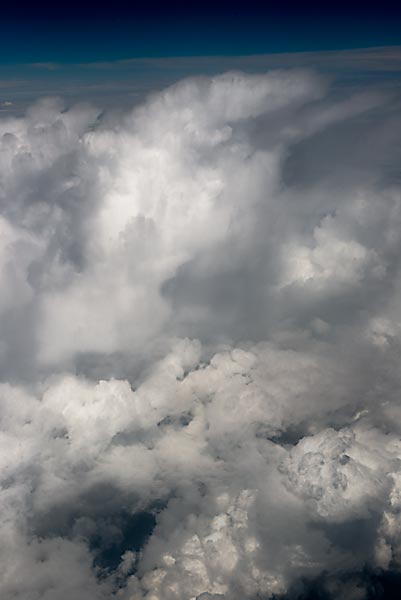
x=79, y=32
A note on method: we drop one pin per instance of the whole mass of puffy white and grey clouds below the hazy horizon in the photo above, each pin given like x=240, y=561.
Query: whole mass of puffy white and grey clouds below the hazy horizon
x=200, y=342
